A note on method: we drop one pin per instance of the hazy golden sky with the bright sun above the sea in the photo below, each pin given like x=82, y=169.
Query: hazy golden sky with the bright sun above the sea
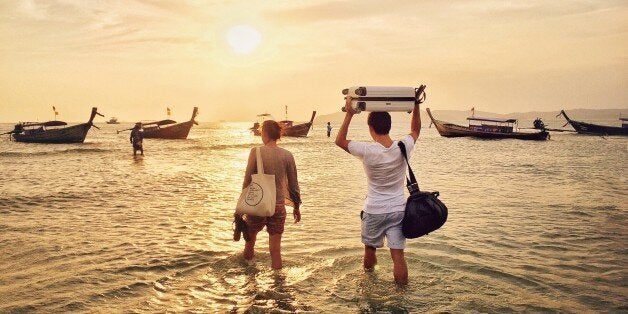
x=132, y=59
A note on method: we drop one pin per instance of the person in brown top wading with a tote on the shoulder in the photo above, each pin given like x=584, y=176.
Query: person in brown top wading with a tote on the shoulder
x=279, y=162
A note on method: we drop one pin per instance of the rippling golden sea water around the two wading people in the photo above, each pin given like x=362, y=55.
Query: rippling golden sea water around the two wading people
x=533, y=226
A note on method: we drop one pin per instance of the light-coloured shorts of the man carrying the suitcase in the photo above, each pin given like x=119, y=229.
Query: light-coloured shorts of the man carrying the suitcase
x=377, y=226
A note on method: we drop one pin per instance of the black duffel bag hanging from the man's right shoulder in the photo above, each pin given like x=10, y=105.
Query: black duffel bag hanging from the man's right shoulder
x=424, y=211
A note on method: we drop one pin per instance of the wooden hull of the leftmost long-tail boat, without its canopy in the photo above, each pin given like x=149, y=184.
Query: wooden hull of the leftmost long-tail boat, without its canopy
x=69, y=135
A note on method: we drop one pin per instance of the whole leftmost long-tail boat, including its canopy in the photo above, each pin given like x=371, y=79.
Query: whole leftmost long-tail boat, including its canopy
x=40, y=132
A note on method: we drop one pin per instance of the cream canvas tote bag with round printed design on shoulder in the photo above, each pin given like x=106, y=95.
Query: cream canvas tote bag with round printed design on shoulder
x=260, y=197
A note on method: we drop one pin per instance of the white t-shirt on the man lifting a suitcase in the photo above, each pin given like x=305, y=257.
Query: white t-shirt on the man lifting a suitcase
x=386, y=173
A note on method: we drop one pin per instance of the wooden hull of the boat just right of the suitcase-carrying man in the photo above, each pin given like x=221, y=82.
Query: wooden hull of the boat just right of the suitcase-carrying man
x=453, y=130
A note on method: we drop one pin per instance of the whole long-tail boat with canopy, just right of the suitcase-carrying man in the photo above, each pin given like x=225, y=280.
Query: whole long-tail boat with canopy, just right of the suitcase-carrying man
x=488, y=128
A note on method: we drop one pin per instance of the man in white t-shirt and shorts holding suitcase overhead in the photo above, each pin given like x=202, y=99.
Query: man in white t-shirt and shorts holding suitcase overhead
x=385, y=170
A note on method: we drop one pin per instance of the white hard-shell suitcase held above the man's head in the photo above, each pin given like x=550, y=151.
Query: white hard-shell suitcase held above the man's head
x=384, y=98
